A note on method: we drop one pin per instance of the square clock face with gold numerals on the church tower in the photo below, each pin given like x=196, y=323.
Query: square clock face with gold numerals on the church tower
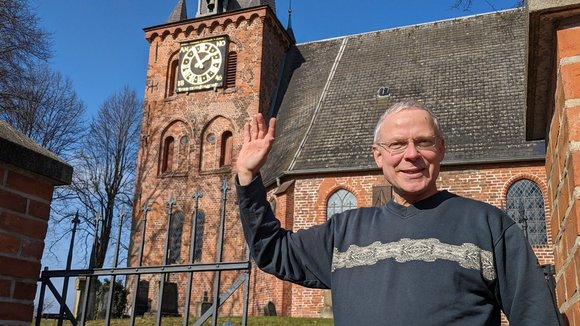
x=201, y=64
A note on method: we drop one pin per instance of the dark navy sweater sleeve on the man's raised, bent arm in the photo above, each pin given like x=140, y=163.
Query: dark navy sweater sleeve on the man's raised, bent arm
x=303, y=257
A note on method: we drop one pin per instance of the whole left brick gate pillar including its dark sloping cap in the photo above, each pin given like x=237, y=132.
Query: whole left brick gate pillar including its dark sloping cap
x=28, y=175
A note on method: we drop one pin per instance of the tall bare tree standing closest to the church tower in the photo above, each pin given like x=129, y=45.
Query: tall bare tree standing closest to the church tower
x=104, y=176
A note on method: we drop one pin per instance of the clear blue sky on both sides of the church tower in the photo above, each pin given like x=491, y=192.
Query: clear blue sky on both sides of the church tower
x=100, y=44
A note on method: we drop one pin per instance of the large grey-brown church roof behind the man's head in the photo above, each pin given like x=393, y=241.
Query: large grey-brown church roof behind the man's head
x=469, y=70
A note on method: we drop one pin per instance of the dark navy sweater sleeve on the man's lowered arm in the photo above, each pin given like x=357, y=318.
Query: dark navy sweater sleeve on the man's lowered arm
x=522, y=290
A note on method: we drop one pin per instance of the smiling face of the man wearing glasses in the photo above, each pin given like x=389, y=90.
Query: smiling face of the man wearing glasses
x=413, y=171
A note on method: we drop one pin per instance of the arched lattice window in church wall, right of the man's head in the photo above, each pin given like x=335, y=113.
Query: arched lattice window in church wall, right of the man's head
x=525, y=205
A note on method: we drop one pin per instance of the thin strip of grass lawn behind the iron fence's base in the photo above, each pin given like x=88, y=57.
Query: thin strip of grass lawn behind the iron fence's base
x=234, y=321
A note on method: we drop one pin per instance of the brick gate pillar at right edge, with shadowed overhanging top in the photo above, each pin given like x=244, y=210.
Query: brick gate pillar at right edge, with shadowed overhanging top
x=553, y=114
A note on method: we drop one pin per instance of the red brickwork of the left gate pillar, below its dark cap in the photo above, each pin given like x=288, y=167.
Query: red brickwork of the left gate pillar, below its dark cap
x=24, y=211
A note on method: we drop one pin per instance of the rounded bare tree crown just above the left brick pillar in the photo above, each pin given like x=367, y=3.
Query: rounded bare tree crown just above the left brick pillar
x=46, y=108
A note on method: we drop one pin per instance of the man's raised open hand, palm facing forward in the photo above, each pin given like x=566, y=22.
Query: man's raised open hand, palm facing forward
x=257, y=144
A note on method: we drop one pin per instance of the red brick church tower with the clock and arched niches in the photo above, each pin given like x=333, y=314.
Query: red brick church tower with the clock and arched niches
x=205, y=77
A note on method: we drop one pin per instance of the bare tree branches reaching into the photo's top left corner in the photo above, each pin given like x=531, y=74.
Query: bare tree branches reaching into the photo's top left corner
x=22, y=44
